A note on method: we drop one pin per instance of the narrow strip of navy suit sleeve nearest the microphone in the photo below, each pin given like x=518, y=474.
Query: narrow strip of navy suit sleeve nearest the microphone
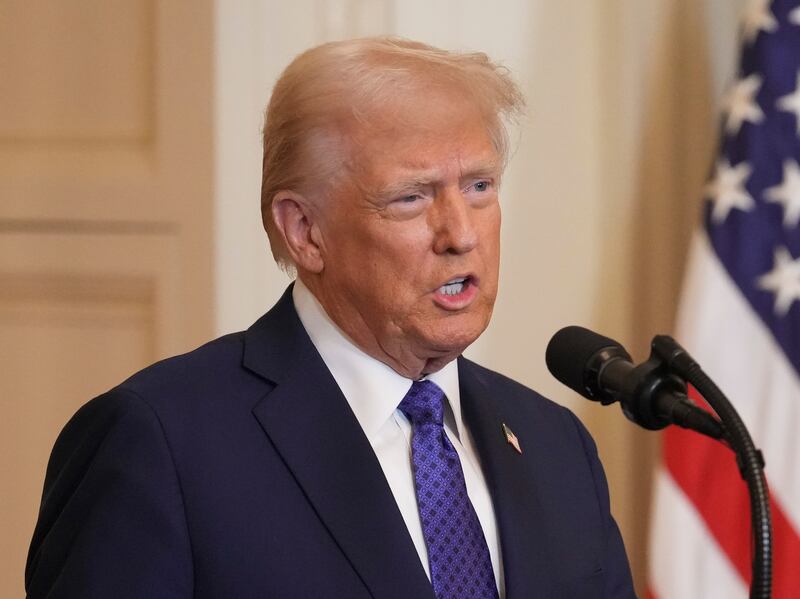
x=618, y=582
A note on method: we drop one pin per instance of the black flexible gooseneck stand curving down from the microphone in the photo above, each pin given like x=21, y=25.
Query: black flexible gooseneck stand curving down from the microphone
x=748, y=458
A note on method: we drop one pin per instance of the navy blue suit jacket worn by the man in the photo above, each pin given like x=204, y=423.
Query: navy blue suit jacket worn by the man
x=238, y=470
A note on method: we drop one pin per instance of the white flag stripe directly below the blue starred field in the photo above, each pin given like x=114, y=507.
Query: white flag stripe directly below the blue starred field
x=752, y=371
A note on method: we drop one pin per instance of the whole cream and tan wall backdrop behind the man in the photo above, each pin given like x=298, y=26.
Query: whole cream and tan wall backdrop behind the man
x=129, y=181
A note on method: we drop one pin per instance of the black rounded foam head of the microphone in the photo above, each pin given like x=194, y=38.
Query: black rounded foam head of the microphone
x=569, y=352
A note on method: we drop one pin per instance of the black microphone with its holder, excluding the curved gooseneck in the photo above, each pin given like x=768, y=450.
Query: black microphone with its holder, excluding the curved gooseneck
x=600, y=369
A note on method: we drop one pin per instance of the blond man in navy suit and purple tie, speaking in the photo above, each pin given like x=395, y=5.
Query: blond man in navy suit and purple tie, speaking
x=341, y=447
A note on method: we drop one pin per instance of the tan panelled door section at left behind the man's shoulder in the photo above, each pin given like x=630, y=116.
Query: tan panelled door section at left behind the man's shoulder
x=105, y=217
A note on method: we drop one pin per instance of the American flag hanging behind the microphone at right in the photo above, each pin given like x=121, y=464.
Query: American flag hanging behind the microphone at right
x=740, y=318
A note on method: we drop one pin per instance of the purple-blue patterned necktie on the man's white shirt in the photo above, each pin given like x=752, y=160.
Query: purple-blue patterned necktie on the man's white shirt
x=457, y=551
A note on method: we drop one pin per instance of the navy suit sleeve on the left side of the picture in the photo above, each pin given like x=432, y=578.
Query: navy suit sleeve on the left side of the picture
x=112, y=521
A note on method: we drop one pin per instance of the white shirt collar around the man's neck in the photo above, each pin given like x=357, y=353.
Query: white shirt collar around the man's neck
x=372, y=388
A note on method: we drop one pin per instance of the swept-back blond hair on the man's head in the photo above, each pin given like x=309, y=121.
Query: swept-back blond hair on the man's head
x=328, y=88
